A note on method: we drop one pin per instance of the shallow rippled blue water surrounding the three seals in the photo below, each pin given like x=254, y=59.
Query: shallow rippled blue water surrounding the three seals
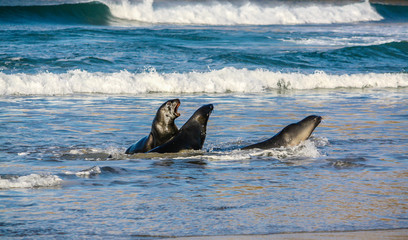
x=350, y=175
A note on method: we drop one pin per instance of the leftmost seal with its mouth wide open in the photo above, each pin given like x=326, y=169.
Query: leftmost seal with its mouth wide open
x=163, y=128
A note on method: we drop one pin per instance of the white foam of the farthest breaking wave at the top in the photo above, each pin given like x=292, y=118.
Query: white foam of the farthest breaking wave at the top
x=241, y=12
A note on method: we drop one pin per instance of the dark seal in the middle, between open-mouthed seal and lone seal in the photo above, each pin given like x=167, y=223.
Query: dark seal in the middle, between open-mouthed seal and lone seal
x=191, y=135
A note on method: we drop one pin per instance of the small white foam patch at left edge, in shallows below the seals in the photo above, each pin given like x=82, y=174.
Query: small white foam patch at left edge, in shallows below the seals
x=30, y=181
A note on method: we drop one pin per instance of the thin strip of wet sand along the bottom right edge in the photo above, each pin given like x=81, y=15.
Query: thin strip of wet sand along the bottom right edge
x=389, y=234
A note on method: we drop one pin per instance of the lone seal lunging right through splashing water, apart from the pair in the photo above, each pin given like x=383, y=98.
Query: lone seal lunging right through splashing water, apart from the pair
x=291, y=135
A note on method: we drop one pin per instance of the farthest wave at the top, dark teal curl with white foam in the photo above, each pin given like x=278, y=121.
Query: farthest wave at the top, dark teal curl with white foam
x=216, y=12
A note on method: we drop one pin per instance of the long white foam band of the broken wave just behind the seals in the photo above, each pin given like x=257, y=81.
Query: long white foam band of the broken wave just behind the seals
x=216, y=81
